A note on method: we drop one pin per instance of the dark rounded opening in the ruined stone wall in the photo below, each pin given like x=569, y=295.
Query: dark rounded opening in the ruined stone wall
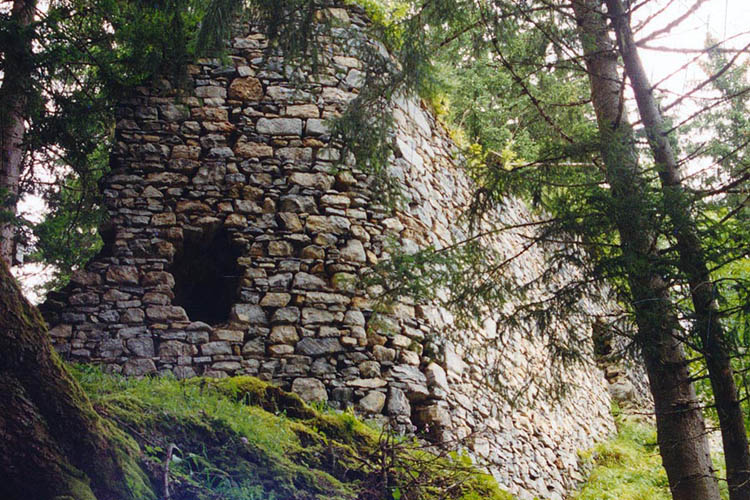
x=206, y=276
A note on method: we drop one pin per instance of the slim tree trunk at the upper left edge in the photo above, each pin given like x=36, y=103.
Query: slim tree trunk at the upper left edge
x=14, y=93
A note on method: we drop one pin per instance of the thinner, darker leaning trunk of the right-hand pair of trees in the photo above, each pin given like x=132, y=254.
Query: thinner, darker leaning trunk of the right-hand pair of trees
x=692, y=264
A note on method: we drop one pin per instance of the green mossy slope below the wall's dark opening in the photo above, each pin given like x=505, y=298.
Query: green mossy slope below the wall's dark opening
x=240, y=438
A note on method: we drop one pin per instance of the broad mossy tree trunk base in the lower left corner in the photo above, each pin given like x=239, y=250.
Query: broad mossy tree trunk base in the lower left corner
x=54, y=443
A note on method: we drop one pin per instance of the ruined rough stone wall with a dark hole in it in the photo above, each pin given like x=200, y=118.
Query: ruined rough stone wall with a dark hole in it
x=234, y=247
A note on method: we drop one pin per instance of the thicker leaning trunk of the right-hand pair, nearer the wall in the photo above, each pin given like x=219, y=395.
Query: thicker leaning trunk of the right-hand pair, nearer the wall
x=681, y=431
